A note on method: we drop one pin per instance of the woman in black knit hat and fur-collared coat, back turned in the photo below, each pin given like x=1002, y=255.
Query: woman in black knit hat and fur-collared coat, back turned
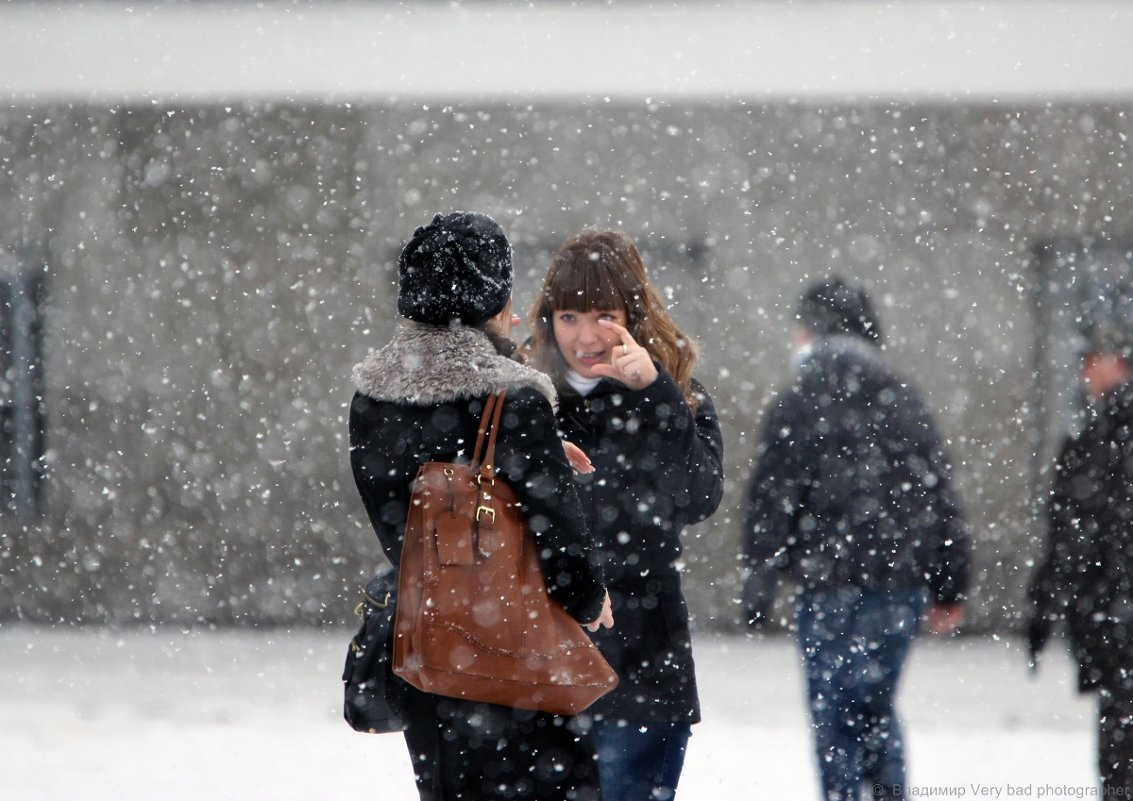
x=420, y=399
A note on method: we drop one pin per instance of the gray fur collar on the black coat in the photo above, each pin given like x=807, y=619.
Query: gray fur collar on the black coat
x=424, y=365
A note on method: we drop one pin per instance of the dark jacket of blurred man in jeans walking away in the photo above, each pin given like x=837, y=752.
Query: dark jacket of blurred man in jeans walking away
x=851, y=487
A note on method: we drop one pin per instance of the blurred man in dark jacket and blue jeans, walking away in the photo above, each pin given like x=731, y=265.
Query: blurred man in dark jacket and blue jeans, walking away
x=851, y=497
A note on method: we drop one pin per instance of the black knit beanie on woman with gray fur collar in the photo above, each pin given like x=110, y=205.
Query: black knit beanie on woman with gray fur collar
x=457, y=269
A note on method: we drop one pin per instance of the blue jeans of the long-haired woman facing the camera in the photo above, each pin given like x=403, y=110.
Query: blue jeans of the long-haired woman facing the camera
x=641, y=761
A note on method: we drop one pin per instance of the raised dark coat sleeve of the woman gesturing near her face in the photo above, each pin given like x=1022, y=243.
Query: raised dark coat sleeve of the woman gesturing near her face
x=688, y=457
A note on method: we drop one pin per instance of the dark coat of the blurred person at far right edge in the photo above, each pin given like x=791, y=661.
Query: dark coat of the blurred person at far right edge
x=1087, y=577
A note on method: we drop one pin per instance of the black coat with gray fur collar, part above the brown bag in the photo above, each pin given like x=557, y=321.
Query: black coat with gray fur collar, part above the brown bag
x=421, y=399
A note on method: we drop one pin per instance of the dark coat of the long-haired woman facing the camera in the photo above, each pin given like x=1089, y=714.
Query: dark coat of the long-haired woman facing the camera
x=658, y=470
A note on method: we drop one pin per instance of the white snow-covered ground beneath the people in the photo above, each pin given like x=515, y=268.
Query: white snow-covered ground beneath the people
x=173, y=715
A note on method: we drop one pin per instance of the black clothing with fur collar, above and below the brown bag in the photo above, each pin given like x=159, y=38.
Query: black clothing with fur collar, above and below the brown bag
x=420, y=399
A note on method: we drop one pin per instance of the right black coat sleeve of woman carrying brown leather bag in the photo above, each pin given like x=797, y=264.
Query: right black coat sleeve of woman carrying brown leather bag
x=532, y=459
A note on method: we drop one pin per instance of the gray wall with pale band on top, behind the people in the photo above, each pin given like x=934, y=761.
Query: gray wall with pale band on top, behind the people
x=214, y=197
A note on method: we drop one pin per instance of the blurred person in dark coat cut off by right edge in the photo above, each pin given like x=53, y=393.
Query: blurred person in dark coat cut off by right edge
x=1087, y=577
